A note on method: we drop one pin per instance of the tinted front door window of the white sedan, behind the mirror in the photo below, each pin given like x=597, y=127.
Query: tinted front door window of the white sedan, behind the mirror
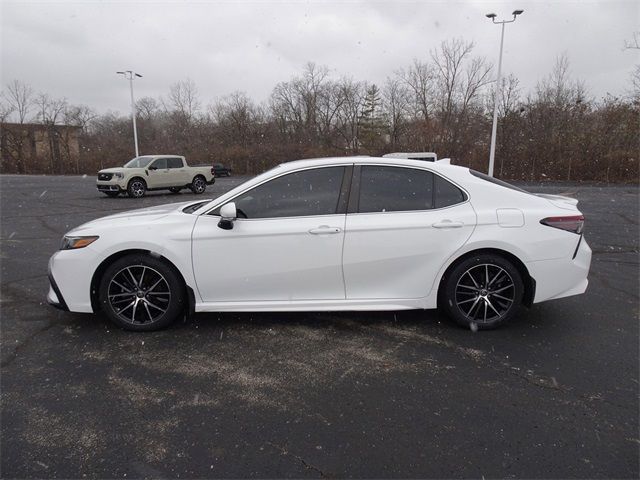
x=309, y=192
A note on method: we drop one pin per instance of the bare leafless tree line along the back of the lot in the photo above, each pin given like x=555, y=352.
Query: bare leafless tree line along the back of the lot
x=442, y=104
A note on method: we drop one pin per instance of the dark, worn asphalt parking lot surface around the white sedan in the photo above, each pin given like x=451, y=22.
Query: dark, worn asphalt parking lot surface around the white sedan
x=407, y=394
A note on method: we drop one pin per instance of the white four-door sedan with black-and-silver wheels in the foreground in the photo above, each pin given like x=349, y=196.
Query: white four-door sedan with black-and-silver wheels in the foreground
x=330, y=234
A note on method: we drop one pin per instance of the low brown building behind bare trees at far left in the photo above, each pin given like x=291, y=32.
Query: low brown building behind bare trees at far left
x=37, y=148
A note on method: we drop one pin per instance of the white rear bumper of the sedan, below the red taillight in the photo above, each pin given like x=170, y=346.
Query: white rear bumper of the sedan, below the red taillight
x=563, y=277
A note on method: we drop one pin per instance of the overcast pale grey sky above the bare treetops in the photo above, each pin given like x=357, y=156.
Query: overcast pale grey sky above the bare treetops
x=72, y=49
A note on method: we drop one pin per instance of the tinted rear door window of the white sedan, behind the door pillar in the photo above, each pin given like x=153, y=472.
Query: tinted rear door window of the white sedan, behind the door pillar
x=389, y=189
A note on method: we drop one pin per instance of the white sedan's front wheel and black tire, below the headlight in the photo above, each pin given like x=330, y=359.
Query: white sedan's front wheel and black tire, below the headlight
x=156, y=300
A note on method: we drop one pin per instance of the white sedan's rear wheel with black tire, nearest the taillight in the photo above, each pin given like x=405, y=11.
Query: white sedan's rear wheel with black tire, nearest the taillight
x=491, y=302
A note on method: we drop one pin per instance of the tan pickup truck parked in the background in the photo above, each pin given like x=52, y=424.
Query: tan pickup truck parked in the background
x=154, y=172
